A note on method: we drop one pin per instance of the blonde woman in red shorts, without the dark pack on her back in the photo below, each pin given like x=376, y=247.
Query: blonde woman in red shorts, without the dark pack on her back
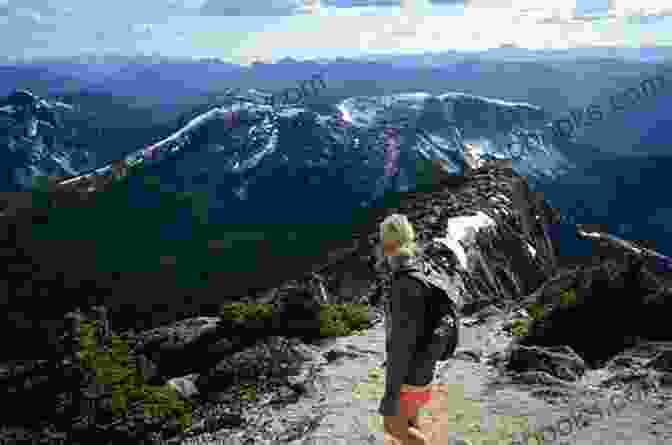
x=408, y=368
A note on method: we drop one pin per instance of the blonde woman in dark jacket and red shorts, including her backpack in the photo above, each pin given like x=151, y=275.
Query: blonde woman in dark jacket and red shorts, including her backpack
x=416, y=340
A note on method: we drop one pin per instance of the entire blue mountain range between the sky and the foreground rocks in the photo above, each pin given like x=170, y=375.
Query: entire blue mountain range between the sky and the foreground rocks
x=288, y=173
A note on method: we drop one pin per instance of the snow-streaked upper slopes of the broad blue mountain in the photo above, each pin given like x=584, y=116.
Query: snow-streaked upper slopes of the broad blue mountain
x=366, y=147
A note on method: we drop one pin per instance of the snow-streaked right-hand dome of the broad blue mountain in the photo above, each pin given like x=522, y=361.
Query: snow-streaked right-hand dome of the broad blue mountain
x=440, y=126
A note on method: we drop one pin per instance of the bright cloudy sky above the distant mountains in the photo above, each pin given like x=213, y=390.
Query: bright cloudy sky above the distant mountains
x=244, y=31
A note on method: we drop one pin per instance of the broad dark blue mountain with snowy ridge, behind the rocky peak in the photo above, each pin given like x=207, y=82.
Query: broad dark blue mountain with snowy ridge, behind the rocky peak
x=310, y=172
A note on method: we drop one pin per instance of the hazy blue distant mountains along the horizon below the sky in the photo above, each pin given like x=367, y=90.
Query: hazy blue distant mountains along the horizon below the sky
x=555, y=85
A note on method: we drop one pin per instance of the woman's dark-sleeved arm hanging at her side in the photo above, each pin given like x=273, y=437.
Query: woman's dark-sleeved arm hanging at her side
x=407, y=300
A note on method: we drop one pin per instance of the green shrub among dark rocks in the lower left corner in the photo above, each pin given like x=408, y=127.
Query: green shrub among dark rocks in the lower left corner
x=111, y=366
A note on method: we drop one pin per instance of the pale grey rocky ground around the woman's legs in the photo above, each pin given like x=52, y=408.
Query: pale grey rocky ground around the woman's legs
x=475, y=398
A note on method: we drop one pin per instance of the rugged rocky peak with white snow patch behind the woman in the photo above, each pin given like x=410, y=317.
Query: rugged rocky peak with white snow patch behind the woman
x=487, y=231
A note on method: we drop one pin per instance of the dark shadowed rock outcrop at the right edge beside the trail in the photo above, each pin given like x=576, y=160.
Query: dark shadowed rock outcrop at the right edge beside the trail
x=602, y=308
